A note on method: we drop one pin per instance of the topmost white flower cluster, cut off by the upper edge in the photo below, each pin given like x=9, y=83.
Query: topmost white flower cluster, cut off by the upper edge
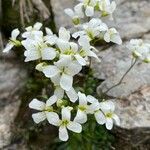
x=90, y=8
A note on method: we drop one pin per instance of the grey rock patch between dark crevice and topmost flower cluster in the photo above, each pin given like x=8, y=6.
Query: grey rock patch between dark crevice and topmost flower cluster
x=61, y=19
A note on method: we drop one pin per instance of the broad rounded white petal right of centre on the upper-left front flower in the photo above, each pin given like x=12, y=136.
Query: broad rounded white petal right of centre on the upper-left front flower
x=48, y=53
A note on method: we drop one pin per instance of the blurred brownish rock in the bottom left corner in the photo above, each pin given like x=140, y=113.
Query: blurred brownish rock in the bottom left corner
x=7, y=116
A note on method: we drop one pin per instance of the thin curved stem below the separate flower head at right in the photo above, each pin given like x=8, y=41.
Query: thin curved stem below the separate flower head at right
x=132, y=65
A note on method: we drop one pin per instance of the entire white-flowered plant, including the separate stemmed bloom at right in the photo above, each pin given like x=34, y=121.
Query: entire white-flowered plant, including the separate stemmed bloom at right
x=60, y=59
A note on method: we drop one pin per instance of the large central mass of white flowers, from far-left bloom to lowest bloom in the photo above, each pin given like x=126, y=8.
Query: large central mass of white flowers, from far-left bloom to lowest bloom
x=60, y=60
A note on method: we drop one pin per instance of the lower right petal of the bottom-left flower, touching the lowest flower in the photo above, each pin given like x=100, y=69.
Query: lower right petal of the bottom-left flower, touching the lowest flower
x=53, y=118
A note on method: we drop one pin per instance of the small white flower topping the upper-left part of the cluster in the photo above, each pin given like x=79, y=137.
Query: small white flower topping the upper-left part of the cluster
x=33, y=32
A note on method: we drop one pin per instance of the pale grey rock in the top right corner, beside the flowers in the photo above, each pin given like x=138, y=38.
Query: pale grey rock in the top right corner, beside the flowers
x=132, y=18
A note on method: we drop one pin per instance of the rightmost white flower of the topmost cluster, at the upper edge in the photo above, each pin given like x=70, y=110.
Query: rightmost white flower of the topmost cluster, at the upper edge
x=107, y=7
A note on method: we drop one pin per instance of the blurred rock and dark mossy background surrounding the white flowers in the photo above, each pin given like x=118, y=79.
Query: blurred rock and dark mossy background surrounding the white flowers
x=19, y=83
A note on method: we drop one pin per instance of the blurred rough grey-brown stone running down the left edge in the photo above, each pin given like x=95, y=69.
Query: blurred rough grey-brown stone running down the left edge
x=12, y=79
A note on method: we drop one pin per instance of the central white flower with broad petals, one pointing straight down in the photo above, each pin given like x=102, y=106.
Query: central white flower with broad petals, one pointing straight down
x=65, y=69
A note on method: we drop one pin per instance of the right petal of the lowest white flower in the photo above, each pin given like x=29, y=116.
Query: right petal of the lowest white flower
x=74, y=126
